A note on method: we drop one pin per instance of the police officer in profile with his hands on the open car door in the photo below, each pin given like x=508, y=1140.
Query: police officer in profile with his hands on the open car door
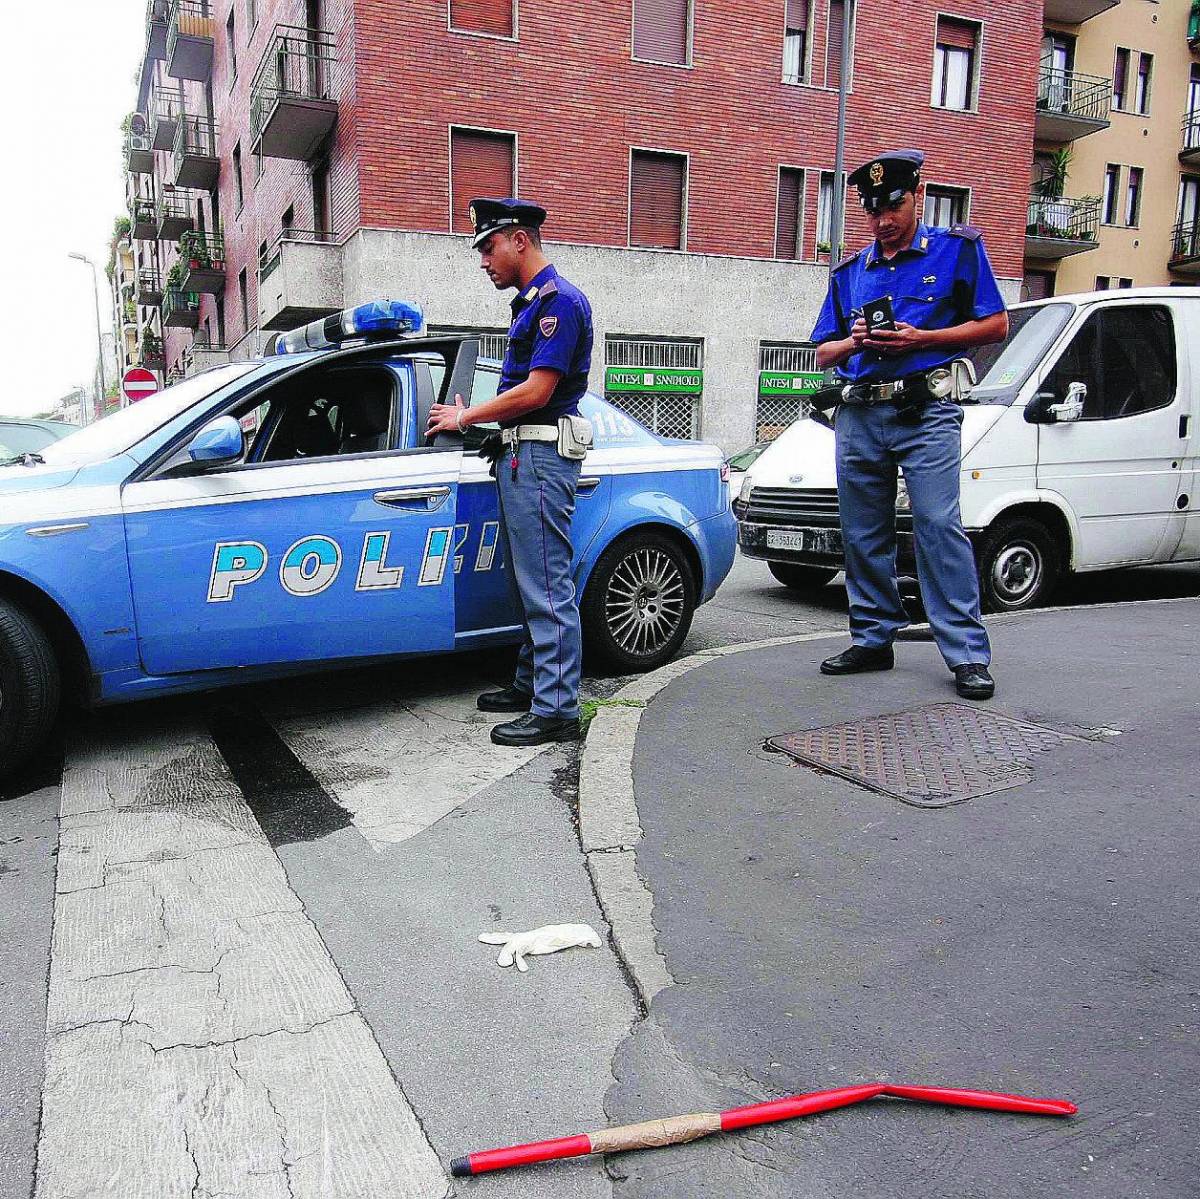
x=545, y=375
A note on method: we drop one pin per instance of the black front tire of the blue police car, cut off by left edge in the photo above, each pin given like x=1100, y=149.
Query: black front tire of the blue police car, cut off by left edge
x=31, y=687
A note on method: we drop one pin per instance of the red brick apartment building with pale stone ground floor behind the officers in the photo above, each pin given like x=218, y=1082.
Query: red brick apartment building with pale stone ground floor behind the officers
x=689, y=195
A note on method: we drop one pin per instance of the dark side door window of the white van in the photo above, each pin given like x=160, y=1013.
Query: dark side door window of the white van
x=1126, y=358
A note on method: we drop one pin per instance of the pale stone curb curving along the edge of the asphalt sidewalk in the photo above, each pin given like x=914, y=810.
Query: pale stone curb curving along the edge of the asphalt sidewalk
x=610, y=826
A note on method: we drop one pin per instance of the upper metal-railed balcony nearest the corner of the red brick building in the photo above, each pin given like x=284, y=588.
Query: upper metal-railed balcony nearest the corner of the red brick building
x=291, y=109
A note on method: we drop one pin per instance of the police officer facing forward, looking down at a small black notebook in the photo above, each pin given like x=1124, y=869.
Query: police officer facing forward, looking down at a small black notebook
x=897, y=410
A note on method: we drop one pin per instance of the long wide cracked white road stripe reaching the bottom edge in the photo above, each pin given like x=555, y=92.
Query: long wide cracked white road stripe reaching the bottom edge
x=200, y=1038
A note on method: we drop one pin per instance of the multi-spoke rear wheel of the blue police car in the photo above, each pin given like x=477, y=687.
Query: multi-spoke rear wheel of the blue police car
x=639, y=604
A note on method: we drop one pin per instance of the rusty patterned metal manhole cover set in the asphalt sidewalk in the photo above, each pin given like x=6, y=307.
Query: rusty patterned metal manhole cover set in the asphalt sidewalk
x=932, y=757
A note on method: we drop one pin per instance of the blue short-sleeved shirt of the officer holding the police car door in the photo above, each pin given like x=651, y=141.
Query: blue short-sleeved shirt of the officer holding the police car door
x=553, y=331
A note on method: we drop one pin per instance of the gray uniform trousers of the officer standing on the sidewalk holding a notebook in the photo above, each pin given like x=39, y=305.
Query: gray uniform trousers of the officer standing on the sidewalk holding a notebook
x=872, y=443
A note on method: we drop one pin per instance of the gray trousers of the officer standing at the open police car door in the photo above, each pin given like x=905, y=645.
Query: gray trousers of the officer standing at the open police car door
x=536, y=524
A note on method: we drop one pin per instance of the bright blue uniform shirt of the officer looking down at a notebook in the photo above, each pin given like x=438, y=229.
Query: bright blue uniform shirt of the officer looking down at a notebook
x=944, y=279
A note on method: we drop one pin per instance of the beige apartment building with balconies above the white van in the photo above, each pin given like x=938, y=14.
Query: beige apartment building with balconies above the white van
x=1115, y=197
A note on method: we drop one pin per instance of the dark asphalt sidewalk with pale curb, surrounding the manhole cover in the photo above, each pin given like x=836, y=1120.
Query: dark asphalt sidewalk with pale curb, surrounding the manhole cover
x=812, y=933
